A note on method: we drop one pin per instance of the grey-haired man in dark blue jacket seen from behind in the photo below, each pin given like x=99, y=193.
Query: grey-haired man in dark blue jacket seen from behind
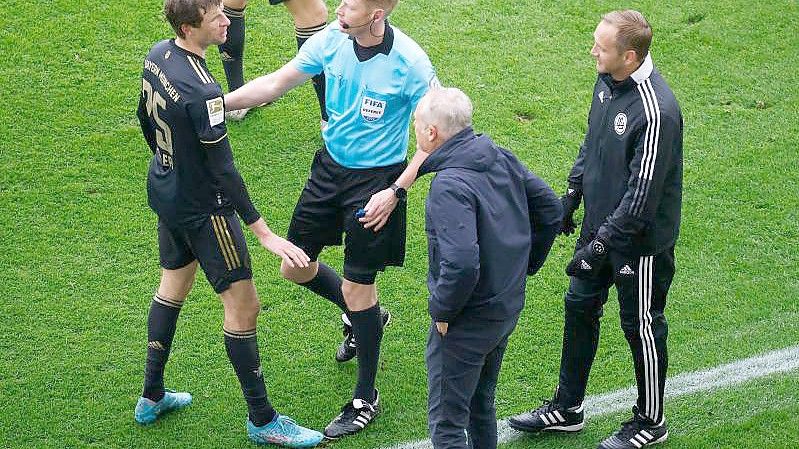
x=490, y=222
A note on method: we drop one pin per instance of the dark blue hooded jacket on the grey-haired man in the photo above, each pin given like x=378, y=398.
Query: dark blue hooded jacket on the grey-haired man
x=489, y=223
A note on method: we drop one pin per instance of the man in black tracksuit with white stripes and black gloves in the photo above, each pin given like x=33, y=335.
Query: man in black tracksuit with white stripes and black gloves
x=629, y=172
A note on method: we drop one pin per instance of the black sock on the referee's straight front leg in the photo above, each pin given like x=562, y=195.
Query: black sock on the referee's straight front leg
x=368, y=329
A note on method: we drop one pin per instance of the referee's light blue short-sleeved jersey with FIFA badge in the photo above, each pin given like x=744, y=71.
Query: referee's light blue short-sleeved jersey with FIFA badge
x=369, y=103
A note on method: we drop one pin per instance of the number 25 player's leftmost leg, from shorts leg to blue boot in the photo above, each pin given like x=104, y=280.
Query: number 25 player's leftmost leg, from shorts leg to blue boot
x=177, y=277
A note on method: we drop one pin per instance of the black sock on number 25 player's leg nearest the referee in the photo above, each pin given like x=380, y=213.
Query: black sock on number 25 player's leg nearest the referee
x=242, y=350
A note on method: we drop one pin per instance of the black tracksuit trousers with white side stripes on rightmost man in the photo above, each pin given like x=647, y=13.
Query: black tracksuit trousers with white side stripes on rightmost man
x=642, y=283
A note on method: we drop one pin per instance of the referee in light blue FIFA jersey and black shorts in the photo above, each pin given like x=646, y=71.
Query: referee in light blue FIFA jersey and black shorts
x=375, y=75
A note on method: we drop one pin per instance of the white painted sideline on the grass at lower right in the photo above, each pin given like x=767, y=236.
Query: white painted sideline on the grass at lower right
x=734, y=373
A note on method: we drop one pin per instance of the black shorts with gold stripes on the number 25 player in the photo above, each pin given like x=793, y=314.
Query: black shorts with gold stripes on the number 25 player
x=217, y=242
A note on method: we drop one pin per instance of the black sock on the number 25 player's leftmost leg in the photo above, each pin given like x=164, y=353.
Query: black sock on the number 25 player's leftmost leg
x=161, y=323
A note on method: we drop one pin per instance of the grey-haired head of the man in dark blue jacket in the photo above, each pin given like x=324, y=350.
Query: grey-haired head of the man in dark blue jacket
x=446, y=108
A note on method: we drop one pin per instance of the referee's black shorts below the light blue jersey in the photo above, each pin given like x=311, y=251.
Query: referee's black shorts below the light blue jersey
x=327, y=207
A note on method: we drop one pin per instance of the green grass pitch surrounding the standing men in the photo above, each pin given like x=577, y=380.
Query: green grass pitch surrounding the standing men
x=79, y=259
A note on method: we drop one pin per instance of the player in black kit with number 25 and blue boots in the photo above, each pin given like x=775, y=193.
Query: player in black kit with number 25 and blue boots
x=198, y=195
